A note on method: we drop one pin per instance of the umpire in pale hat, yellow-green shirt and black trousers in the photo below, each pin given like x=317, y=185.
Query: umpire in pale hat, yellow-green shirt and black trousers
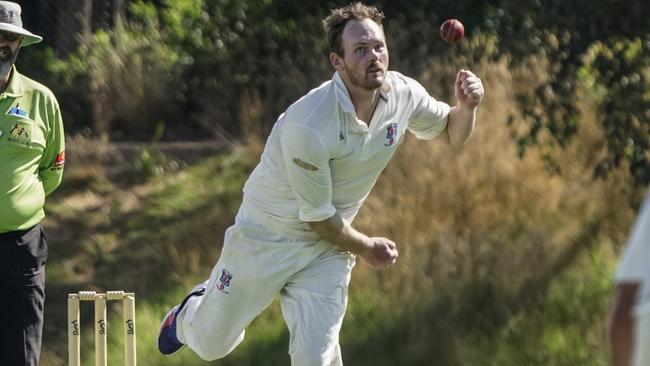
x=31, y=159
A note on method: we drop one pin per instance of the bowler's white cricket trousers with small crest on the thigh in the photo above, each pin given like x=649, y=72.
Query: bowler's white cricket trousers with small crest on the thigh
x=256, y=265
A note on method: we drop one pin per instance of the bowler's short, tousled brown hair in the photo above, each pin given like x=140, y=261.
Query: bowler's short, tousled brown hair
x=338, y=18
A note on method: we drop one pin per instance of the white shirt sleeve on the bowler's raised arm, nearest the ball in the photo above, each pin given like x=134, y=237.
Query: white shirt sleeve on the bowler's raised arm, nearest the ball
x=430, y=116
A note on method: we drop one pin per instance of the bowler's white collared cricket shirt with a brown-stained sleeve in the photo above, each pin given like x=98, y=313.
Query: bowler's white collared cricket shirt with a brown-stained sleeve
x=320, y=159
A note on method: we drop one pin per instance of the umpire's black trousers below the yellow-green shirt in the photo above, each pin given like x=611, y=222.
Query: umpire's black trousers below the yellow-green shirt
x=22, y=290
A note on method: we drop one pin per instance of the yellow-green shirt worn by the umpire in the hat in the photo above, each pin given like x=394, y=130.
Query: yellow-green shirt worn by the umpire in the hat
x=32, y=151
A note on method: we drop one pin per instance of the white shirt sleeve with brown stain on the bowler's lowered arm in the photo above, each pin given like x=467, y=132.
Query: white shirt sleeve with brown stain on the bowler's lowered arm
x=307, y=164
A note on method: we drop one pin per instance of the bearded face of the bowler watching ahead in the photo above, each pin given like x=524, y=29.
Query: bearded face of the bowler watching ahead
x=366, y=56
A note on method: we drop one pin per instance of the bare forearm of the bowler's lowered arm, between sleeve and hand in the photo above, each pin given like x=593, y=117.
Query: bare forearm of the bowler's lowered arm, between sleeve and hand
x=337, y=231
